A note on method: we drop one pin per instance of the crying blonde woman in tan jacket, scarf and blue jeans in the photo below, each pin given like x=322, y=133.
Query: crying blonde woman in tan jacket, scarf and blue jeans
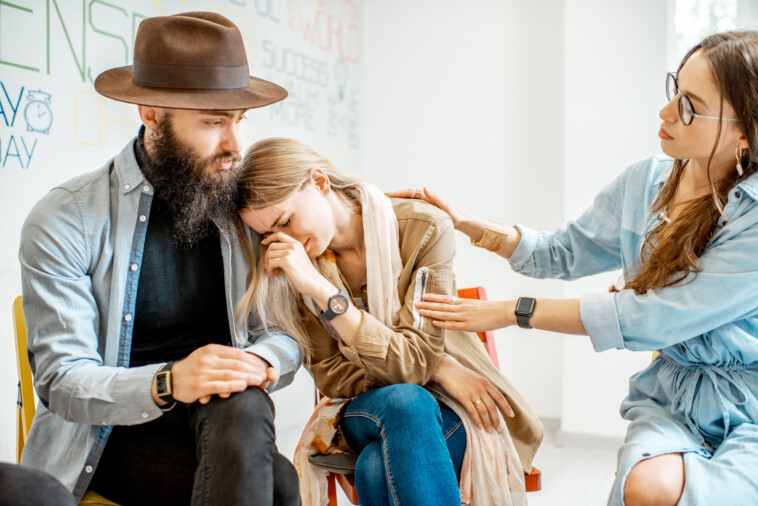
x=353, y=263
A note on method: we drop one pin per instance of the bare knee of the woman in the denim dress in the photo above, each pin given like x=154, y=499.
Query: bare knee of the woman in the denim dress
x=655, y=481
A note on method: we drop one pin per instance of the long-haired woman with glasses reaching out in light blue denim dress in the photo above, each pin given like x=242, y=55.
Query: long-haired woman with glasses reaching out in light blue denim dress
x=684, y=229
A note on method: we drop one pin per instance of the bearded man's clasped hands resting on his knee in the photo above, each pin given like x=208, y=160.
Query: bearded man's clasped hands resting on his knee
x=219, y=370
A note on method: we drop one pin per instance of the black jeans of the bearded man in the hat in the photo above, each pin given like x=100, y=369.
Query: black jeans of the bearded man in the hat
x=220, y=453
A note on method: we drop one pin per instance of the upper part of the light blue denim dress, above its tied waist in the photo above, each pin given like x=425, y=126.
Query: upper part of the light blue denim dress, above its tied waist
x=710, y=319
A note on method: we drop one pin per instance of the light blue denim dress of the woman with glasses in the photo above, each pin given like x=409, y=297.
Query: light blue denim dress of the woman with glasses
x=698, y=397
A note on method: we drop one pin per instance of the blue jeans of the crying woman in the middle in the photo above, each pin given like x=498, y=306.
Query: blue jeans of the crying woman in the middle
x=410, y=447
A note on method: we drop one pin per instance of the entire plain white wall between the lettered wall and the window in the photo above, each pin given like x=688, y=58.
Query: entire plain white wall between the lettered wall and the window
x=520, y=112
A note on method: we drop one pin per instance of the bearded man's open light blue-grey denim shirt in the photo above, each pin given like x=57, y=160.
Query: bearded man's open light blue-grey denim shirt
x=81, y=251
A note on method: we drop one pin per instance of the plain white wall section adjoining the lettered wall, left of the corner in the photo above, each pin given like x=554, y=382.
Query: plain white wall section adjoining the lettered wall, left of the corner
x=456, y=95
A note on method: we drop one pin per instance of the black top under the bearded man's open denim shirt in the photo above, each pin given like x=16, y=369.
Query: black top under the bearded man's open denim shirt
x=181, y=302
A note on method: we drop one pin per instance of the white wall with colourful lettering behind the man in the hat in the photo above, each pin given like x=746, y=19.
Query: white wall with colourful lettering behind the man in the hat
x=313, y=49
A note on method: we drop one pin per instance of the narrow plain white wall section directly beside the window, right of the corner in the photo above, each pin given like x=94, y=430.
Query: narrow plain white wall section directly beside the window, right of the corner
x=615, y=64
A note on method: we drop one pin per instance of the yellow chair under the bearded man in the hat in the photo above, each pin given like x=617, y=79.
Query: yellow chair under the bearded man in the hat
x=26, y=398
